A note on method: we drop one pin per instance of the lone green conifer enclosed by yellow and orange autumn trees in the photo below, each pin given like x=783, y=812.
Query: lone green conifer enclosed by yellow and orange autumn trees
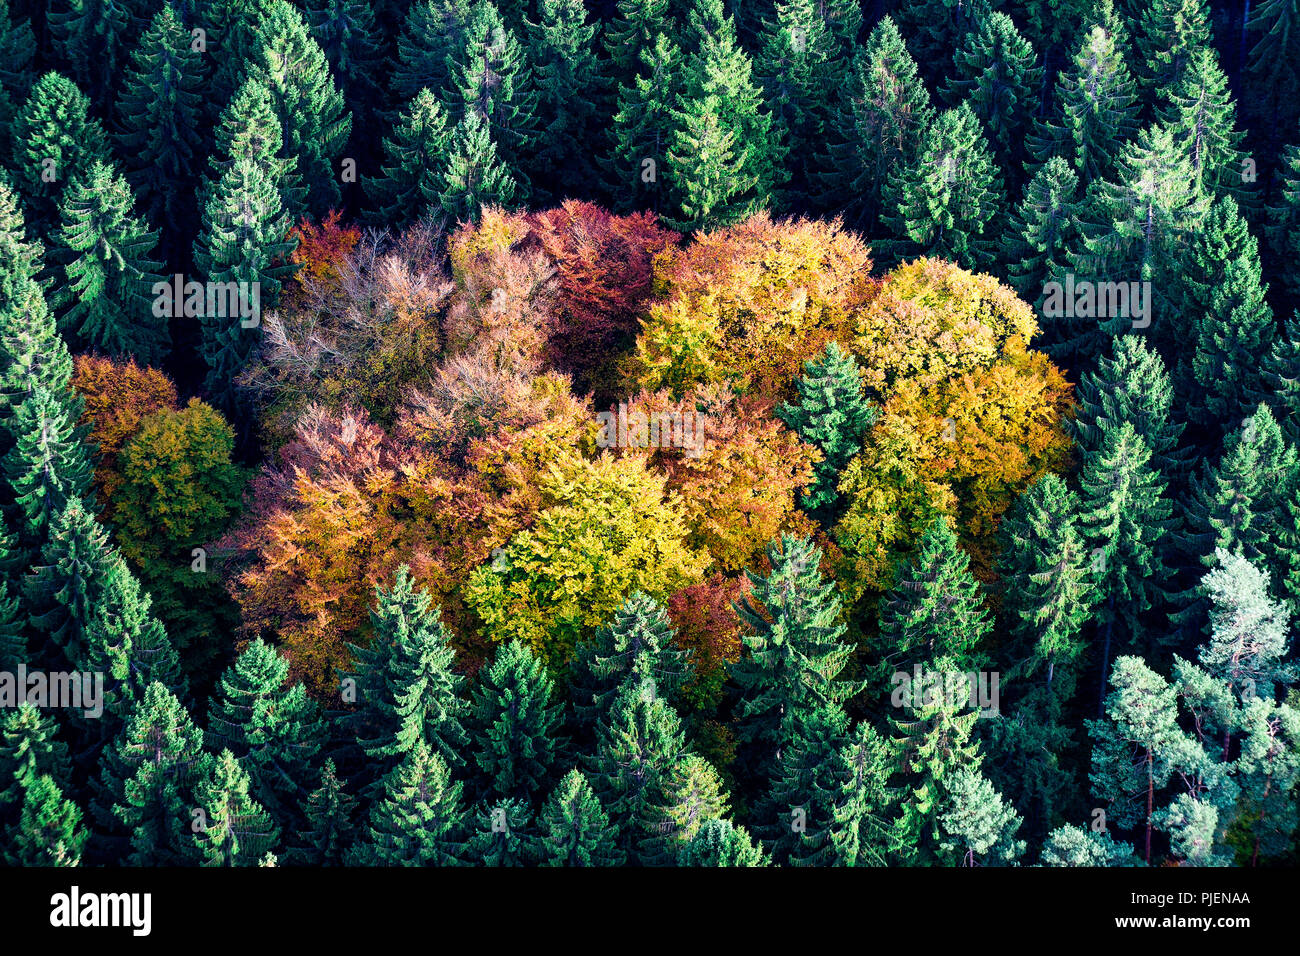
x=834, y=417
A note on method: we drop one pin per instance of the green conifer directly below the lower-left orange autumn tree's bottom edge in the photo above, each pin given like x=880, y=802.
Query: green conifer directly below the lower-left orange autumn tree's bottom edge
x=274, y=729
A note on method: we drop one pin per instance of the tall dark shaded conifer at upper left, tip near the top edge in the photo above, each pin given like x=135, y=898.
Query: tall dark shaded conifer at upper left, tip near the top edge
x=159, y=122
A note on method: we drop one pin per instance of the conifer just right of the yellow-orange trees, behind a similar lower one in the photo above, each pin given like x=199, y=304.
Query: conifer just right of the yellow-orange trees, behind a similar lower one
x=1132, y=386
